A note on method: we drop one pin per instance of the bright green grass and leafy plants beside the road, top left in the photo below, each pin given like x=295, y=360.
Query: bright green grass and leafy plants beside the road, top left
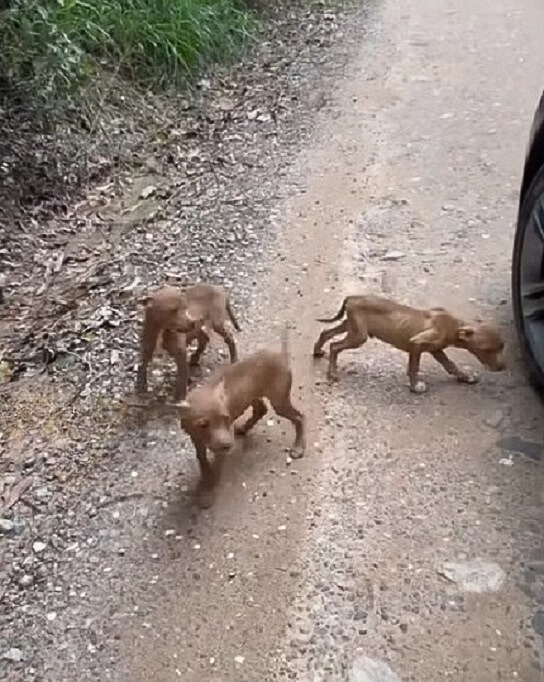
x=50, y=47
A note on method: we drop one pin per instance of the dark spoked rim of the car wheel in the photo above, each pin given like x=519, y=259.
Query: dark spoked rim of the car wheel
x=532, y=281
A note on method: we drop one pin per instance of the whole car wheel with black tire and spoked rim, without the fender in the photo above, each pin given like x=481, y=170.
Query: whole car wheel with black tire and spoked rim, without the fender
x=530, y=328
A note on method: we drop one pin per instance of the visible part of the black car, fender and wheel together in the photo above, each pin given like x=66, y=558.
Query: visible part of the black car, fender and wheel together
x=528, y=254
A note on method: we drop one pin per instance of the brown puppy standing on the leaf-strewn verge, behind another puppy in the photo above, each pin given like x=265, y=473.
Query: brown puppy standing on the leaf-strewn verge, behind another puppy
x=180, y=316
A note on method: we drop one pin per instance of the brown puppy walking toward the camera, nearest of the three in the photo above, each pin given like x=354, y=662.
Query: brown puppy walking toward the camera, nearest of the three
x=210, y=410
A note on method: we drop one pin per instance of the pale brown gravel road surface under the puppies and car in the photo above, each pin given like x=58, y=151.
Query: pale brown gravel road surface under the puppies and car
x=407, y=545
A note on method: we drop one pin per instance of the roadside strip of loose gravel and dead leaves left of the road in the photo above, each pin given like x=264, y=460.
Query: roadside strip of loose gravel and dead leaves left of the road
x=191, y=203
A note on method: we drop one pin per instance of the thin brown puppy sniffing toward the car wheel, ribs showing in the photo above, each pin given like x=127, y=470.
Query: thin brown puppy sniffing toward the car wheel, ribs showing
x=414, y=331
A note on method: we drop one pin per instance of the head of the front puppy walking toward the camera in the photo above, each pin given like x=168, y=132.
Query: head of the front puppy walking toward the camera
x=205, y=416
